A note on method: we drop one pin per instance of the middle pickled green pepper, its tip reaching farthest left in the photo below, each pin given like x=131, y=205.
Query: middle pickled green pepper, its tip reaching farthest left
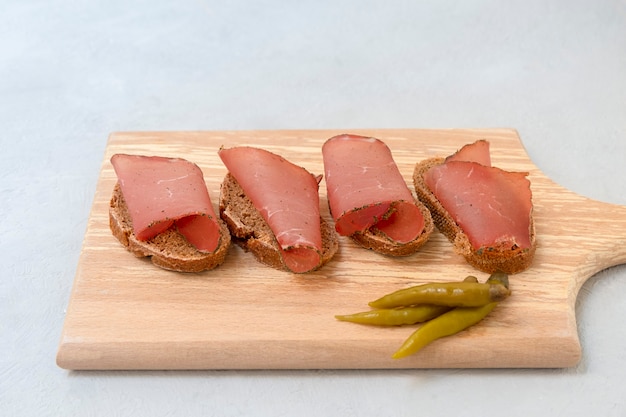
x=399, y=316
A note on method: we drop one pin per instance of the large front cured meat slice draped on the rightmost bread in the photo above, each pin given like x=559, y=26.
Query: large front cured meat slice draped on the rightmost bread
x=491, y=206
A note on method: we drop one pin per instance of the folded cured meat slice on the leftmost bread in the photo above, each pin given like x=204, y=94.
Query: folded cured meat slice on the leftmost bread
x=164, y=192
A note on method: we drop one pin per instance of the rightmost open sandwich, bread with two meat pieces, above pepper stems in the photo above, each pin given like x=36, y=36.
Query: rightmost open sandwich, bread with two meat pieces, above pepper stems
x=484, y=211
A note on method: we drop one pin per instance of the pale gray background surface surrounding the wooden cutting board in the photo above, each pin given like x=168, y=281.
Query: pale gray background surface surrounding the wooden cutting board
x=71, y=72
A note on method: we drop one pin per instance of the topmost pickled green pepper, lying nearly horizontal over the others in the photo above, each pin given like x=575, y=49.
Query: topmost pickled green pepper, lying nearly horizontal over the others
x=451, y=294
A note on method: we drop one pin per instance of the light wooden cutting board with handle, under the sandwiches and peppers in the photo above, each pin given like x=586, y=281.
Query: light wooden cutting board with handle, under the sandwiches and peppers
x=124, y=313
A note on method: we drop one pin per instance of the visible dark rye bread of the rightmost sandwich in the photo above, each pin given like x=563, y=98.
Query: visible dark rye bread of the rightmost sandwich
x=503, y=259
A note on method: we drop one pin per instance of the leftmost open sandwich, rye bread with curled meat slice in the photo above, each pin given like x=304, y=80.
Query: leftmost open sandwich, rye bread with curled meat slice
x=161, y=209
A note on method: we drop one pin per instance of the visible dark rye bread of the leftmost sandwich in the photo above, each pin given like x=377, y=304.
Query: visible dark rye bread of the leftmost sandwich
x=168, y=250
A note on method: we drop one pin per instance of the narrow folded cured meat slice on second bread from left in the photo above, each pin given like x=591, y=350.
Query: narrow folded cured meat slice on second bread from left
x=287, y=197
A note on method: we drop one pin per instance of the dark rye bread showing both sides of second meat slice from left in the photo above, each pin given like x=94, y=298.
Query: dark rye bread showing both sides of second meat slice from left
x=252, y=233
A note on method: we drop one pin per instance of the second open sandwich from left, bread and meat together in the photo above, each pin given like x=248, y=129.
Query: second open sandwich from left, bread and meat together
x=271, y=207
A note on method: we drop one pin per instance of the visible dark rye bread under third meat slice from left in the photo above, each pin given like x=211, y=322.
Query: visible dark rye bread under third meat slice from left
x=379, y=242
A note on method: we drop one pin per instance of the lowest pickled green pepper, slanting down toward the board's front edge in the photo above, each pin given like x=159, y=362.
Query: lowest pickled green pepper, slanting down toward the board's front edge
x=446, y=324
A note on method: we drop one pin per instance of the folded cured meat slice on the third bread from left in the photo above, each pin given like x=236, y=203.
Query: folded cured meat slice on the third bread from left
x=366, y=189
